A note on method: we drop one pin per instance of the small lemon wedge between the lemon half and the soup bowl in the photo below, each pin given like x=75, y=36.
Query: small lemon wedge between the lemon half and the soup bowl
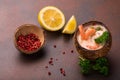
x=70, y=27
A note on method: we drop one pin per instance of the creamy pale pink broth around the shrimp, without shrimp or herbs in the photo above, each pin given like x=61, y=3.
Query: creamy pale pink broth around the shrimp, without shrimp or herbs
x=90, y=41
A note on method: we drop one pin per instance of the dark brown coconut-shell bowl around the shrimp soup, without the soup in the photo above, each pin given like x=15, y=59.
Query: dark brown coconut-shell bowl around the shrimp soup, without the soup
x=93, y=54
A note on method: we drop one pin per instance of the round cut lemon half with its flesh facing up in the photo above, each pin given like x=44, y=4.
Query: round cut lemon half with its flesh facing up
x=51, y=18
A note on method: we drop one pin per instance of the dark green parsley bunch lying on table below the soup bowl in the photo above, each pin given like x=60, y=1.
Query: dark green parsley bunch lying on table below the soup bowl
x=100, y=65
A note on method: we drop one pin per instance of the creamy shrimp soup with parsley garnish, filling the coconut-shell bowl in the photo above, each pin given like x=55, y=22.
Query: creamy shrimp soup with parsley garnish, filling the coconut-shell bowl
x=92, y=37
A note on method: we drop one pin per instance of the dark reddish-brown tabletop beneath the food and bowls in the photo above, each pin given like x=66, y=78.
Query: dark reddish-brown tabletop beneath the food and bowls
x=16, y=66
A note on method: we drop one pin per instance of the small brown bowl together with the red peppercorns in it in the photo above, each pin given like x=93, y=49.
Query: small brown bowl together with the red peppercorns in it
x=29, y=38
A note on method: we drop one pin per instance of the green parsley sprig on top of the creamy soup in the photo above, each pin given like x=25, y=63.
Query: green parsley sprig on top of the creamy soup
x=103, y=38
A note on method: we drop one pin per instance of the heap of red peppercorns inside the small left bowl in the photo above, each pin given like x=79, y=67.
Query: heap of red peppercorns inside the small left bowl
x=29, y=42
